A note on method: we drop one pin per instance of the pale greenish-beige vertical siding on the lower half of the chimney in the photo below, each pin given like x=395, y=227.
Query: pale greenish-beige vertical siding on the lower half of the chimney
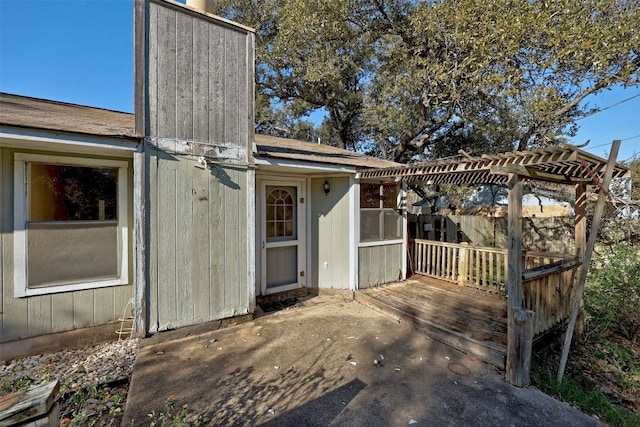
x=197, y=240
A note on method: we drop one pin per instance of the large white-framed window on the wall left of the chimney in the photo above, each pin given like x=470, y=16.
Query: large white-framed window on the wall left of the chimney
x=70, y=224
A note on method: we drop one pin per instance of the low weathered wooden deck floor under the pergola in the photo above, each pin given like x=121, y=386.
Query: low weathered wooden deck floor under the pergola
x=470, y=320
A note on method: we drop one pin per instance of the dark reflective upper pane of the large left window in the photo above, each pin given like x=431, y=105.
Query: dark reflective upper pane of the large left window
x=71, y=193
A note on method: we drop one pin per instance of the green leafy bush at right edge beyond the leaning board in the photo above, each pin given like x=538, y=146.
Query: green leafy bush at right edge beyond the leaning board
x=612, y=295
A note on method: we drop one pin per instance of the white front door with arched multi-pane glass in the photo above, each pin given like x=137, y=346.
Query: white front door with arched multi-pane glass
x=283, y=236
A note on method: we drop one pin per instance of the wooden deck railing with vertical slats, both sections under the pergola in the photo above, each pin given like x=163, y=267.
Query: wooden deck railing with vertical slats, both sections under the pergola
x=547, y=277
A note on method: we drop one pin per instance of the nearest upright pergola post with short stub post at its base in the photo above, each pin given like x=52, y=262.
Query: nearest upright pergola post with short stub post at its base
x=519, y=320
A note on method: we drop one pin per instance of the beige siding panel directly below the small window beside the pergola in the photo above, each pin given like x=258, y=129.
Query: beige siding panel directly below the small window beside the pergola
x=379, y=264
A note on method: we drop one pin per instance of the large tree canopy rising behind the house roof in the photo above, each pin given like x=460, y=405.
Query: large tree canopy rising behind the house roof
x=407, y=80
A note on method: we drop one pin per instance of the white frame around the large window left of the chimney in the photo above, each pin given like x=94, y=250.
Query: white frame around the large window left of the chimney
x=21, y=160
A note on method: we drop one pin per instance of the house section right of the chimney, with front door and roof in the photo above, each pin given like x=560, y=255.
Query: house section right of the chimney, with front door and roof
x=350, y=237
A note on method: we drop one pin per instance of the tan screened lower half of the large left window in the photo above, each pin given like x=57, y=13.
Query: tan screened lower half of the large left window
x=71, y=252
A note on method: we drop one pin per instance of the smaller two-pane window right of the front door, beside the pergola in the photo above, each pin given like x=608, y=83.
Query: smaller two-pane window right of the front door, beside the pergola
x=379, y=212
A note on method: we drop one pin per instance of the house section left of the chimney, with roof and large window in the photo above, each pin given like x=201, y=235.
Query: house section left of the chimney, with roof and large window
x=66, y=176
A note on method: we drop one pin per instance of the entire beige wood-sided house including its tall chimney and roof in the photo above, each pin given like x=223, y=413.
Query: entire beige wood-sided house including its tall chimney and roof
x=179, y=207
